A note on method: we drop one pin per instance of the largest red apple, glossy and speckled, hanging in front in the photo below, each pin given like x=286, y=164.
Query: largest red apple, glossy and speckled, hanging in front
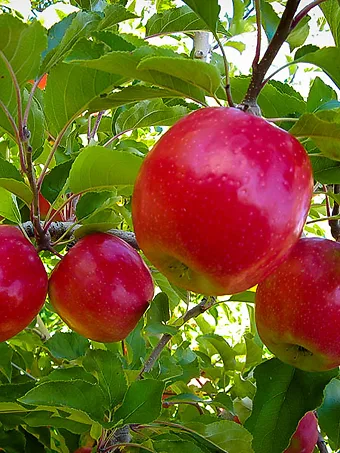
x=220, y=200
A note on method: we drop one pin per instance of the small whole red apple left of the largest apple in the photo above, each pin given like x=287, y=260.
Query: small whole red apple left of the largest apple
x=101, y=288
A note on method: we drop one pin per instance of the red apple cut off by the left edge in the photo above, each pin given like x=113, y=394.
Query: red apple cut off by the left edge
x=23, y=282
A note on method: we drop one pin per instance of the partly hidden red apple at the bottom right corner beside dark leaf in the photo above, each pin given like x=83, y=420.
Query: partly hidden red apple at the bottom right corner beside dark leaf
x=305, y=436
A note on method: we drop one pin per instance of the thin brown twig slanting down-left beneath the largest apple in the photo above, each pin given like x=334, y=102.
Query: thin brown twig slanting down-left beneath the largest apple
x=204, y=305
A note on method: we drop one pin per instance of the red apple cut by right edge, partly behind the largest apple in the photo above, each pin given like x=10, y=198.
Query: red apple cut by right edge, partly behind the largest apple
x=297, y=308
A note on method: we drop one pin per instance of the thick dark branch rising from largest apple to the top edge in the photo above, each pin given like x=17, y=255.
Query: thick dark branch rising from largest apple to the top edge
x=260, y=69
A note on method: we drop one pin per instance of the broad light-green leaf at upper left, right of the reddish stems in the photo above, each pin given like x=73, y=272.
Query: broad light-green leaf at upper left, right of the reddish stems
x=70, y=89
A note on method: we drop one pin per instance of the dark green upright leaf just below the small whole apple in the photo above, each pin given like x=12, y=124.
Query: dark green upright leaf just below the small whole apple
x=108, y=369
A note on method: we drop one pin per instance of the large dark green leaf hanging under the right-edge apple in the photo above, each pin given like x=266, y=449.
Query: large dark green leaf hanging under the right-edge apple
x=284, y=394
